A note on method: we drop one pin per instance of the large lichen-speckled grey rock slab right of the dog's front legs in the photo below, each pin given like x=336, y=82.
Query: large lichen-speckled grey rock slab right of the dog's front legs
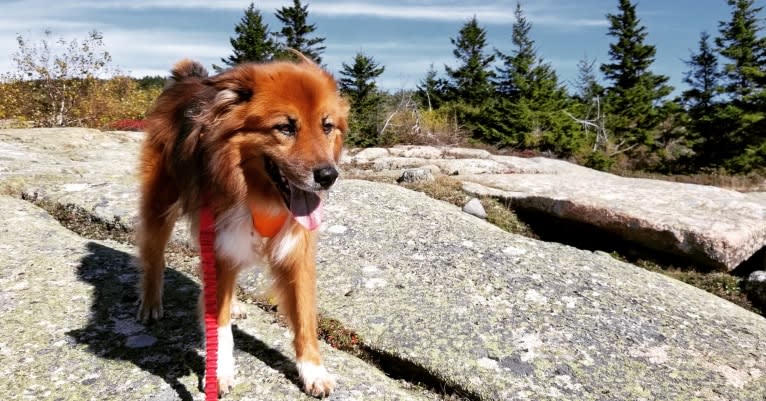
x=506, y=317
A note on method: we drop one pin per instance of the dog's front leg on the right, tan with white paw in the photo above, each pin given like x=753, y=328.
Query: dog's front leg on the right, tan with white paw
x=294, y=270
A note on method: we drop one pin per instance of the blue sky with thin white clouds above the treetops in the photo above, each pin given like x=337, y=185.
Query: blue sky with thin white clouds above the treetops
x=145, y=37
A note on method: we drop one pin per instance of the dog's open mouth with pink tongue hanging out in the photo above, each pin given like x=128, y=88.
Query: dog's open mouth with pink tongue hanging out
x=305, y=206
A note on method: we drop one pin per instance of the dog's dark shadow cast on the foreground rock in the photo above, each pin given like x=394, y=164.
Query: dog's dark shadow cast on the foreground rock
x=167, y=348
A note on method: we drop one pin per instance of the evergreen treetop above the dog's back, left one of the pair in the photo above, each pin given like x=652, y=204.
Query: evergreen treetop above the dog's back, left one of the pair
x=253, y=41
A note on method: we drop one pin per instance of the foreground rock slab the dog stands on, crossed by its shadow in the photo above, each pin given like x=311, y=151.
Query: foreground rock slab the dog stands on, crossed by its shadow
x=69, y=330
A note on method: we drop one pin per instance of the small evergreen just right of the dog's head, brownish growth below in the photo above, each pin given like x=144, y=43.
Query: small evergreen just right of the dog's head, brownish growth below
x=357, y=83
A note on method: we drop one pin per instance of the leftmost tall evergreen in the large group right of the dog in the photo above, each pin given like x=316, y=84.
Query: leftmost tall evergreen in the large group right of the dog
x=470, y=81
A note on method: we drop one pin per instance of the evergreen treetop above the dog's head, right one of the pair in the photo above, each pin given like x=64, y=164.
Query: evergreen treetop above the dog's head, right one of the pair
x=295, y=31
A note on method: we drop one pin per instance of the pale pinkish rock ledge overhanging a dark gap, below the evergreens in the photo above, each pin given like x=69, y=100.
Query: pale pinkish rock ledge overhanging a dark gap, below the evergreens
x=711, y=226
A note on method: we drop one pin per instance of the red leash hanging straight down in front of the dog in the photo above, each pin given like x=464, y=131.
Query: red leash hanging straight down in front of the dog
x=210, y=287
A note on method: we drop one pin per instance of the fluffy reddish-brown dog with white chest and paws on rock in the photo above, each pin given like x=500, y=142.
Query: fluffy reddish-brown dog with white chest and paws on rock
x=259, y=143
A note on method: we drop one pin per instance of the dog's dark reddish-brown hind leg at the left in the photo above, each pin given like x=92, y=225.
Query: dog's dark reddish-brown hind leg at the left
x=157, y=217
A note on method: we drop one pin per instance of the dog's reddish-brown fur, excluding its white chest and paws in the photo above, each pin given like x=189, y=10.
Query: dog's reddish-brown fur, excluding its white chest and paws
x=210, y=135
